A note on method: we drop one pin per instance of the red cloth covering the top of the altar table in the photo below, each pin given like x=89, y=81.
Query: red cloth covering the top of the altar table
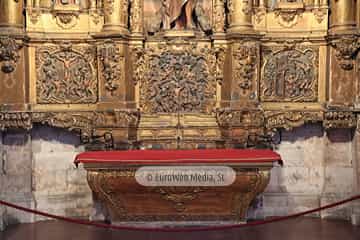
x=208, y=156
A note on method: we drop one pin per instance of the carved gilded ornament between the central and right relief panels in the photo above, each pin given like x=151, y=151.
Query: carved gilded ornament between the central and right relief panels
x=245, y=71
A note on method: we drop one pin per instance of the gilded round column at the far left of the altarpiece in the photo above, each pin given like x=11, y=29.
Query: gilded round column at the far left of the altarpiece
x=11, y=17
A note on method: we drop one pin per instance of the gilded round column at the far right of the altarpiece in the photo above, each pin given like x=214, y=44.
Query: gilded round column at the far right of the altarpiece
x=343, y=16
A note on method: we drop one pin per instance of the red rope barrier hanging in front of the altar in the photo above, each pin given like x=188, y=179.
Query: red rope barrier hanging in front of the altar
x=177, y=229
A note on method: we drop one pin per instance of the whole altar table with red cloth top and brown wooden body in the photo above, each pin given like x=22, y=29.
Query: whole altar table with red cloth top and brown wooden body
x=111, y=177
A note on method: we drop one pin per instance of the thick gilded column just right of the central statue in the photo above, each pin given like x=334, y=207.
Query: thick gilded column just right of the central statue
x=240, y=16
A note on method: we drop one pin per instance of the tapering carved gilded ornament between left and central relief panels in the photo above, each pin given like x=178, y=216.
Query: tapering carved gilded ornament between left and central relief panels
x=111, y=65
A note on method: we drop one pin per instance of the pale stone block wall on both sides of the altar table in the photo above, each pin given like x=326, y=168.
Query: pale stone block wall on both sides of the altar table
x=36, y=171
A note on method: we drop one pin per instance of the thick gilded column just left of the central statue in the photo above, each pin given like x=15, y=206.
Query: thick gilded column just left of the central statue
x=116, y=16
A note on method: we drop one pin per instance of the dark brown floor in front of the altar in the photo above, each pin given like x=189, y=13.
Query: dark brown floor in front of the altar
x=301, y=228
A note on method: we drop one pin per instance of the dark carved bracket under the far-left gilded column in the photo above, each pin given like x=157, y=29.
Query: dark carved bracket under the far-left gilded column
x=9, y=55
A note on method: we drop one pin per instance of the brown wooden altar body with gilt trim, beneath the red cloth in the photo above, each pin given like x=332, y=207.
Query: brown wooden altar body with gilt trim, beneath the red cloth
x=126, y=200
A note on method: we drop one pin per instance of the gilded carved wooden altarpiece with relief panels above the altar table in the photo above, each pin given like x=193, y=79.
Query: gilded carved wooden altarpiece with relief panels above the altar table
x=187, y=74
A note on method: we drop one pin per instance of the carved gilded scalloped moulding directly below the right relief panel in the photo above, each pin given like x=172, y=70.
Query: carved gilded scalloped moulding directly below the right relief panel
x=290, y=119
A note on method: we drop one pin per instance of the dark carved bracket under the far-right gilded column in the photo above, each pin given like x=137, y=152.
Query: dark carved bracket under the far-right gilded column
x=346, y=49
